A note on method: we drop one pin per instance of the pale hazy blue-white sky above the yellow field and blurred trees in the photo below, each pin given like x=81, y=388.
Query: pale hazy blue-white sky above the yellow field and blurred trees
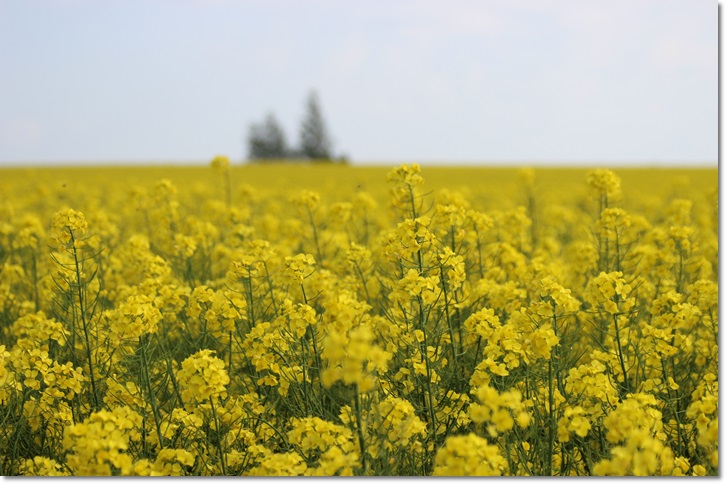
x=460, y=81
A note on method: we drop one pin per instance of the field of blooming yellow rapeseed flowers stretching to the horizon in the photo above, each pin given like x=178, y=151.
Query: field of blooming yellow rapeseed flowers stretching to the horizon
x=330, y=320
